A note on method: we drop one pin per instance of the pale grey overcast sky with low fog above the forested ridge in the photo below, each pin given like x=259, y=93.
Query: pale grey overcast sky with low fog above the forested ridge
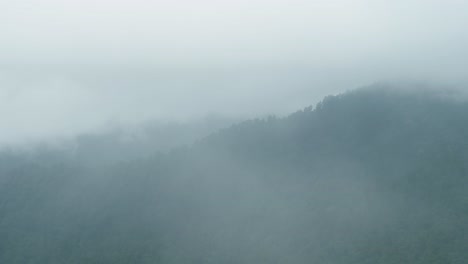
x=68, y=66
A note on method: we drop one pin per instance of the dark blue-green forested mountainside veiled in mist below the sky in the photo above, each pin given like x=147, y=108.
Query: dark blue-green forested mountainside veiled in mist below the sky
x=369, y=176
